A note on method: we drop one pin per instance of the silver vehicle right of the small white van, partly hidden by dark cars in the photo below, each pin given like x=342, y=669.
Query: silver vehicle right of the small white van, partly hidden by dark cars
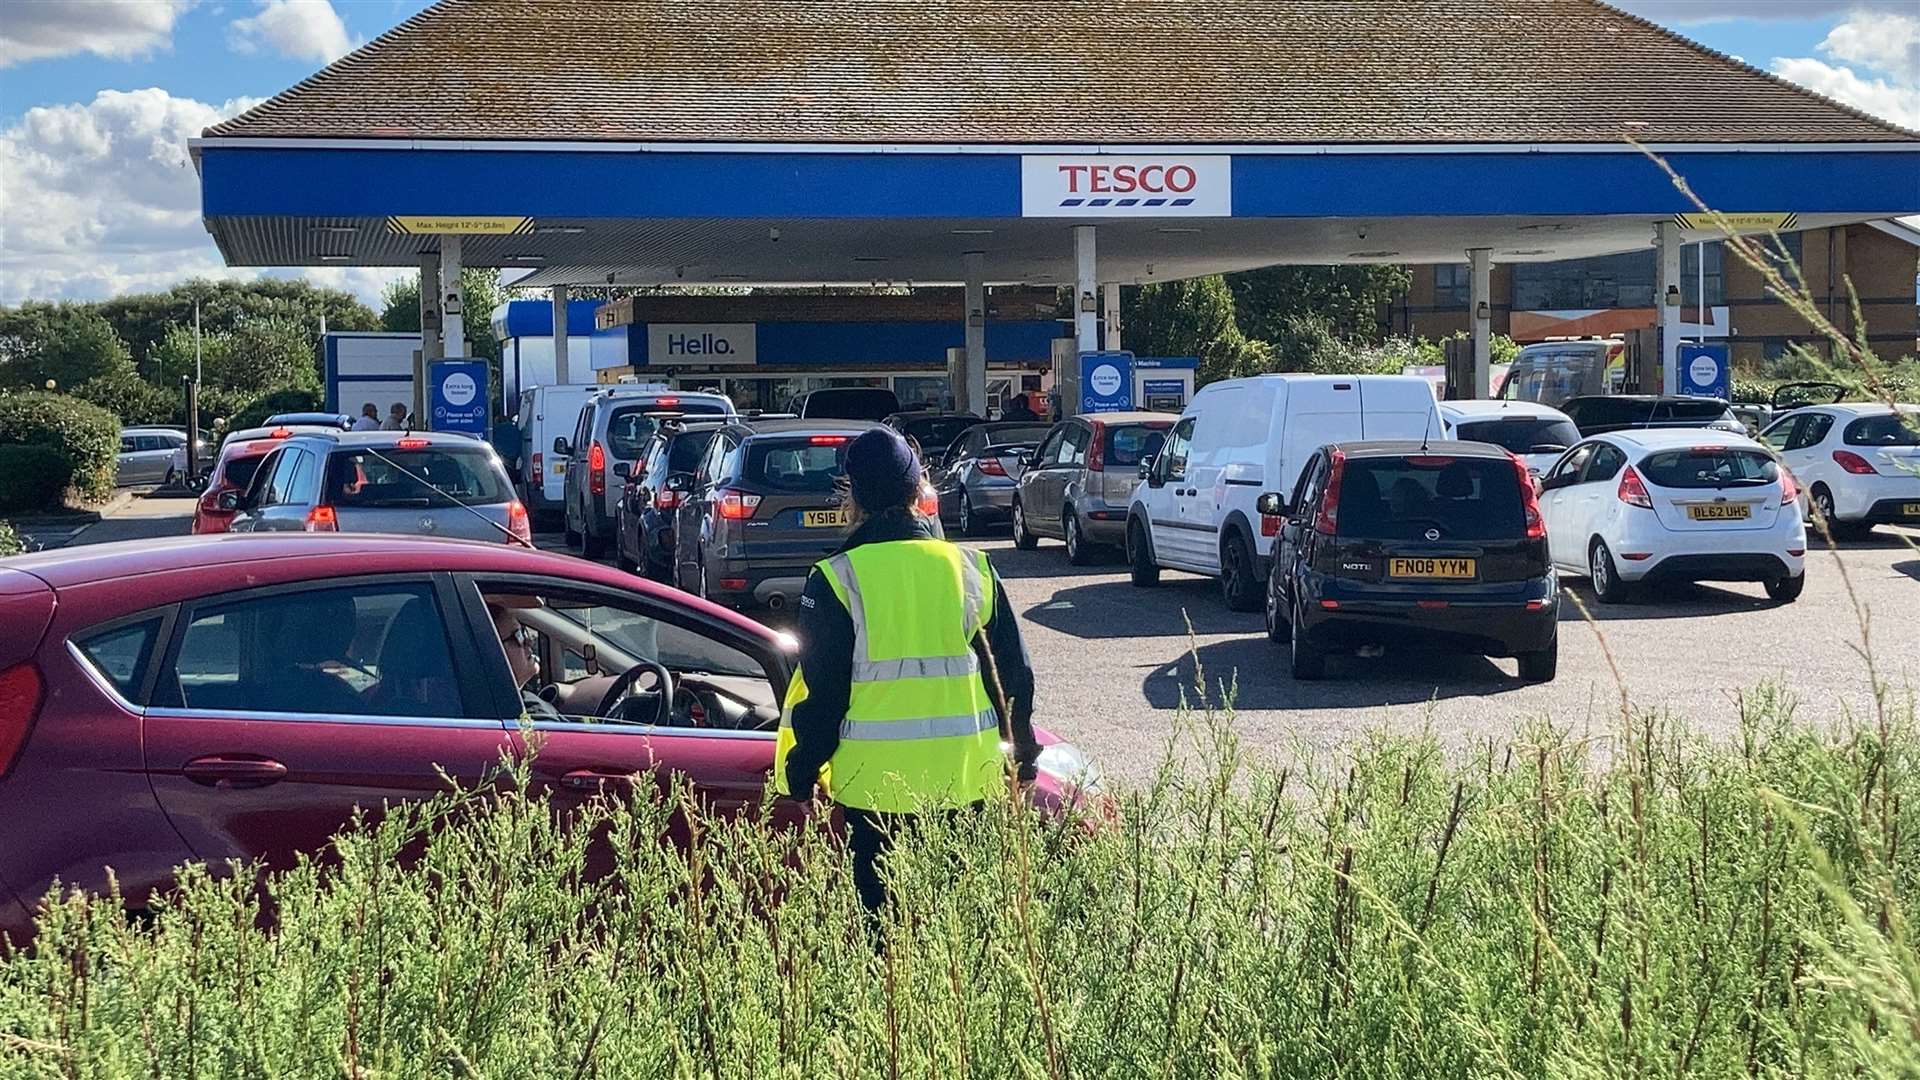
x=612, y=428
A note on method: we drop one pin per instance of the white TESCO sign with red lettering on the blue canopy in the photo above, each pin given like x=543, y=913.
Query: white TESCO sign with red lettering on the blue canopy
x=1115, y=185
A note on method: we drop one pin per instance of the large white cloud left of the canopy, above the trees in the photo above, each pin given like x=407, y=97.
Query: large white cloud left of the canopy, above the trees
x=101, y=199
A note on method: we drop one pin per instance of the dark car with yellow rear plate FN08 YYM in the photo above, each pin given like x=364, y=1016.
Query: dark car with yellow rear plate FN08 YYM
x=1408, y=545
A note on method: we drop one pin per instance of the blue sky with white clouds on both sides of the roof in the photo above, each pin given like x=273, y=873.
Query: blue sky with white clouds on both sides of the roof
x=101, y=97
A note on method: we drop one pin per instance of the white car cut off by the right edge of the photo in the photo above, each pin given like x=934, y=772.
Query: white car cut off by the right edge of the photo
x=1858, y=464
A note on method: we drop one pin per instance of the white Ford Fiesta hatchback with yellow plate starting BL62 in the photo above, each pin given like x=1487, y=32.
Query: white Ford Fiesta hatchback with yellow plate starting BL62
x=1641, y=508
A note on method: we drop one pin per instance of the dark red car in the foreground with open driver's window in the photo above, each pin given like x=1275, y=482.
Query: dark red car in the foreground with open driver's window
x=237, y=697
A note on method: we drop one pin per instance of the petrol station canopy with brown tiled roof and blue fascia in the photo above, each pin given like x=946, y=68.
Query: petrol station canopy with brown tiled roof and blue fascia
x=880, y=141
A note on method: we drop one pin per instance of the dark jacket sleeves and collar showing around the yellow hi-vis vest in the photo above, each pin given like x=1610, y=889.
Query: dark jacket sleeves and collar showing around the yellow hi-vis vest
x=827, y=662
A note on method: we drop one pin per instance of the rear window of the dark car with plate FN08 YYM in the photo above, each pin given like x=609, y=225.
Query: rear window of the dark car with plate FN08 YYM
x=1403, y=499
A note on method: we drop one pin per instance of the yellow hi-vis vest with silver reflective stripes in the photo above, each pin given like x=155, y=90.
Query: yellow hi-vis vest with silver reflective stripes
x=921, y=729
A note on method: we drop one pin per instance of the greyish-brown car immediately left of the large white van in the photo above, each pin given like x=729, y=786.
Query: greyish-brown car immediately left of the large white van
x=1082, y=478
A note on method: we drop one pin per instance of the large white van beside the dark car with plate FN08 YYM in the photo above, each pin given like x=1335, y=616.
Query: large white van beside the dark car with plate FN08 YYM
x=1195, y=506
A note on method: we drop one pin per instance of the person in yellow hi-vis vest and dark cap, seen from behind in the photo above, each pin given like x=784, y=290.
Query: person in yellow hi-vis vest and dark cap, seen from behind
x=890, y=710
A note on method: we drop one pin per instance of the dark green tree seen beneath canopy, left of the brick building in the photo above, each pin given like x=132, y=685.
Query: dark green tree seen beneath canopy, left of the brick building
x=1347, y=299
